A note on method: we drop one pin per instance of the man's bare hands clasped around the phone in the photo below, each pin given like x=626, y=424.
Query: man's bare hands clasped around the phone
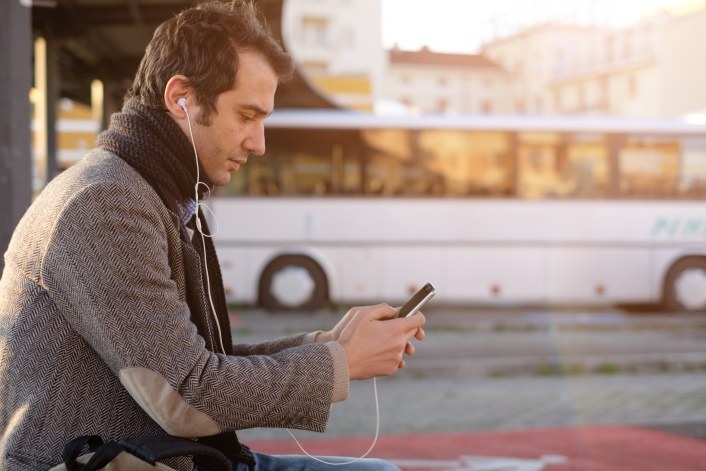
x=375, y=342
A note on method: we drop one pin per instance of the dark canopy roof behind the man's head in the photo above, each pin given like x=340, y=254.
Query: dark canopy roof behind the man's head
x=105, y=39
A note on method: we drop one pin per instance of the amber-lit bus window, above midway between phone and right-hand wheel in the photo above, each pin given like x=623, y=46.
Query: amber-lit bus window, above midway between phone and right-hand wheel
x=555, y=165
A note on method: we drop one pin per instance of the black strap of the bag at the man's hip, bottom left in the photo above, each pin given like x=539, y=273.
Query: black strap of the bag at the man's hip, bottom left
x=150, y=449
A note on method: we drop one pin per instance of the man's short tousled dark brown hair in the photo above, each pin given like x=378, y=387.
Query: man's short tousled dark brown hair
x=195, y=43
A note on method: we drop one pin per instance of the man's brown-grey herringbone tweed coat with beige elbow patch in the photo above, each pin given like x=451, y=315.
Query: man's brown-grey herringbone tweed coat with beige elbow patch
x=96, y=336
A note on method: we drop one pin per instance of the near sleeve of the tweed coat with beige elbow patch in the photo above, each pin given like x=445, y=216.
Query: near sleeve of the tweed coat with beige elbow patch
x=113, y=269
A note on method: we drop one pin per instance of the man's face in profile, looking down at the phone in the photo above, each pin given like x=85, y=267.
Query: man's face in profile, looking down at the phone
x=237, y=126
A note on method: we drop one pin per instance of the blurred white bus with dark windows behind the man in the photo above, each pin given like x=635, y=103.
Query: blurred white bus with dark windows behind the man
x=347, y=208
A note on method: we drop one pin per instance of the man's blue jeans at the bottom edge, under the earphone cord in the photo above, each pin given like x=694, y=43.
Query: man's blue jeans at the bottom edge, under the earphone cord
x=265, y=462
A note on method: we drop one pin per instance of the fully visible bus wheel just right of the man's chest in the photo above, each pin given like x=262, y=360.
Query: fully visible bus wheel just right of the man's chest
x=293, y=282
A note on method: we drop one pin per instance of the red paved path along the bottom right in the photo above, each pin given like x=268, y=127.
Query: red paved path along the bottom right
x=601, y=448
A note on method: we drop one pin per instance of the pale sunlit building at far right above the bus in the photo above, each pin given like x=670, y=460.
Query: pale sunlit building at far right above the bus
x=652, y=69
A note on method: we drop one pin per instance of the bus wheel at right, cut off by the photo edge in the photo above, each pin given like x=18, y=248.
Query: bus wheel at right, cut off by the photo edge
x=685, y=285
